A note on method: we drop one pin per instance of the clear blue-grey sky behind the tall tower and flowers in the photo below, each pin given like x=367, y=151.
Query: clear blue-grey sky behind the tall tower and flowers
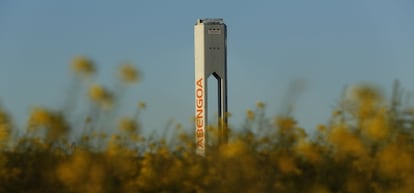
x=321, y=44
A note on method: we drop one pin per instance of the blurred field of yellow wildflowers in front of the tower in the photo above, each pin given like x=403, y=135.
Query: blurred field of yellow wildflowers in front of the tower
x=366, y=146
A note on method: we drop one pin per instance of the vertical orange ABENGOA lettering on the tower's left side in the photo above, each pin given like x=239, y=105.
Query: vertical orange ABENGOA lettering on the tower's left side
x=199, y=122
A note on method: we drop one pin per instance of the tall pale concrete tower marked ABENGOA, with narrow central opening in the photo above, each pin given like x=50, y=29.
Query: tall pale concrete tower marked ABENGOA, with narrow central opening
x=210, y=59
